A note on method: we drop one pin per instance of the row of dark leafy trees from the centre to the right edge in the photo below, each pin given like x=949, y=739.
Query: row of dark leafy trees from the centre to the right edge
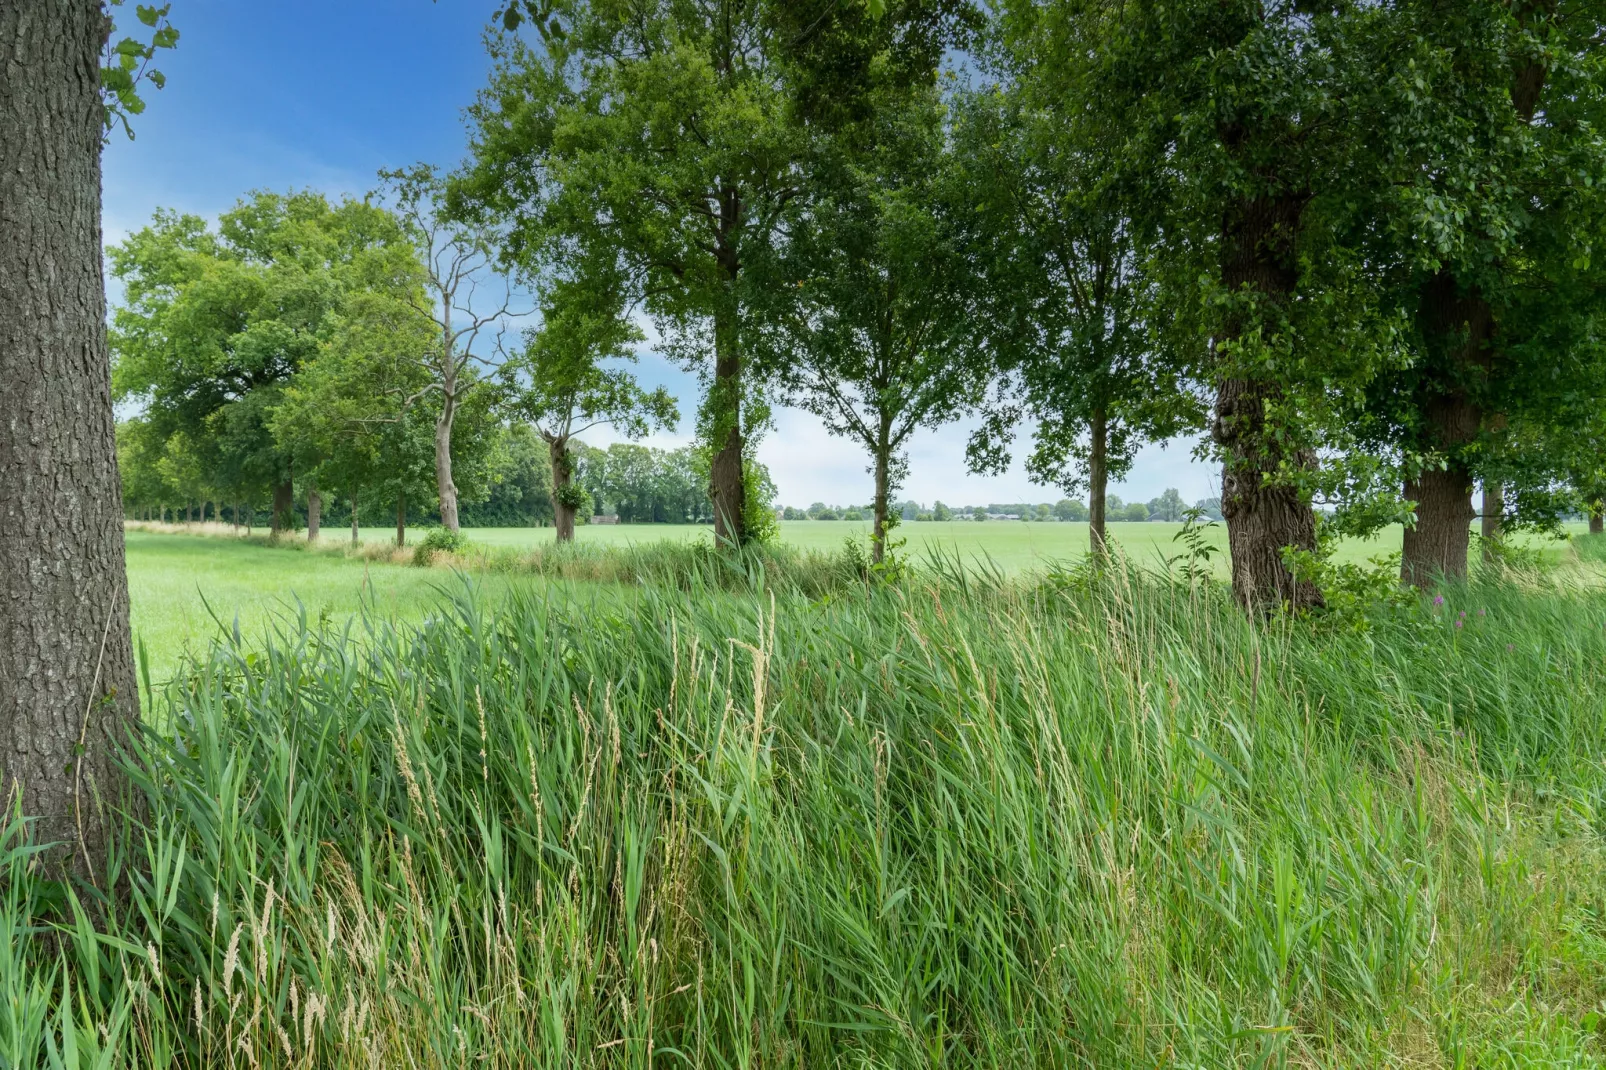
x=1351, y=243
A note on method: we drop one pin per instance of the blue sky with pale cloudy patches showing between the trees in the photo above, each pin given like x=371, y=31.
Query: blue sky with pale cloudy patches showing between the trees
x=300, y=94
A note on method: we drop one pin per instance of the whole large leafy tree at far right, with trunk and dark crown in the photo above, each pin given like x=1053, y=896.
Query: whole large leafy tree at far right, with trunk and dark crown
x=1493, y=232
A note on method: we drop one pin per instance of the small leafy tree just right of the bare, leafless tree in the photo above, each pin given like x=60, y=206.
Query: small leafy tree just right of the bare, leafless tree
x=560, y=385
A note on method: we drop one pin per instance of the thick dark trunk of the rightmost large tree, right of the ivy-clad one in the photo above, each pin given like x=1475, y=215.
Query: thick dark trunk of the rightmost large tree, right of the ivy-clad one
x=1457, y=329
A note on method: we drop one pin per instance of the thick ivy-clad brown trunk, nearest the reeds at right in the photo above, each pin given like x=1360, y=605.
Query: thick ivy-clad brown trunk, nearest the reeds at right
x=1265, y=515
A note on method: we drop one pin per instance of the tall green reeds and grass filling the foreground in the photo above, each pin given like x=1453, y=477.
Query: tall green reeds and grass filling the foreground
x=1099, y=822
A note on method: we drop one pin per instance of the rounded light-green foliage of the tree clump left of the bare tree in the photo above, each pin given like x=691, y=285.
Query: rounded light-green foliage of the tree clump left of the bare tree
x=218, y=327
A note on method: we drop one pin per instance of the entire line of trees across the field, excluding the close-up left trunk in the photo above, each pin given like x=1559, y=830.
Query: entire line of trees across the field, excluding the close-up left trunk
x=1353, y=245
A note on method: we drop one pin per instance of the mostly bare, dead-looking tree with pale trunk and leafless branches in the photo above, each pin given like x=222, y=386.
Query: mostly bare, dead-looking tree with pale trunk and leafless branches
x=457, y=259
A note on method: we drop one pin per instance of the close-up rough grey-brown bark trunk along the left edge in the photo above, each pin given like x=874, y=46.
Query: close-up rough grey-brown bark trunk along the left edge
x=67, y=663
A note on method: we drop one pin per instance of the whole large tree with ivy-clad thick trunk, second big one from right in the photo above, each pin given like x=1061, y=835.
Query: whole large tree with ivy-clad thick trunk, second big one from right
x=1252, y=136
